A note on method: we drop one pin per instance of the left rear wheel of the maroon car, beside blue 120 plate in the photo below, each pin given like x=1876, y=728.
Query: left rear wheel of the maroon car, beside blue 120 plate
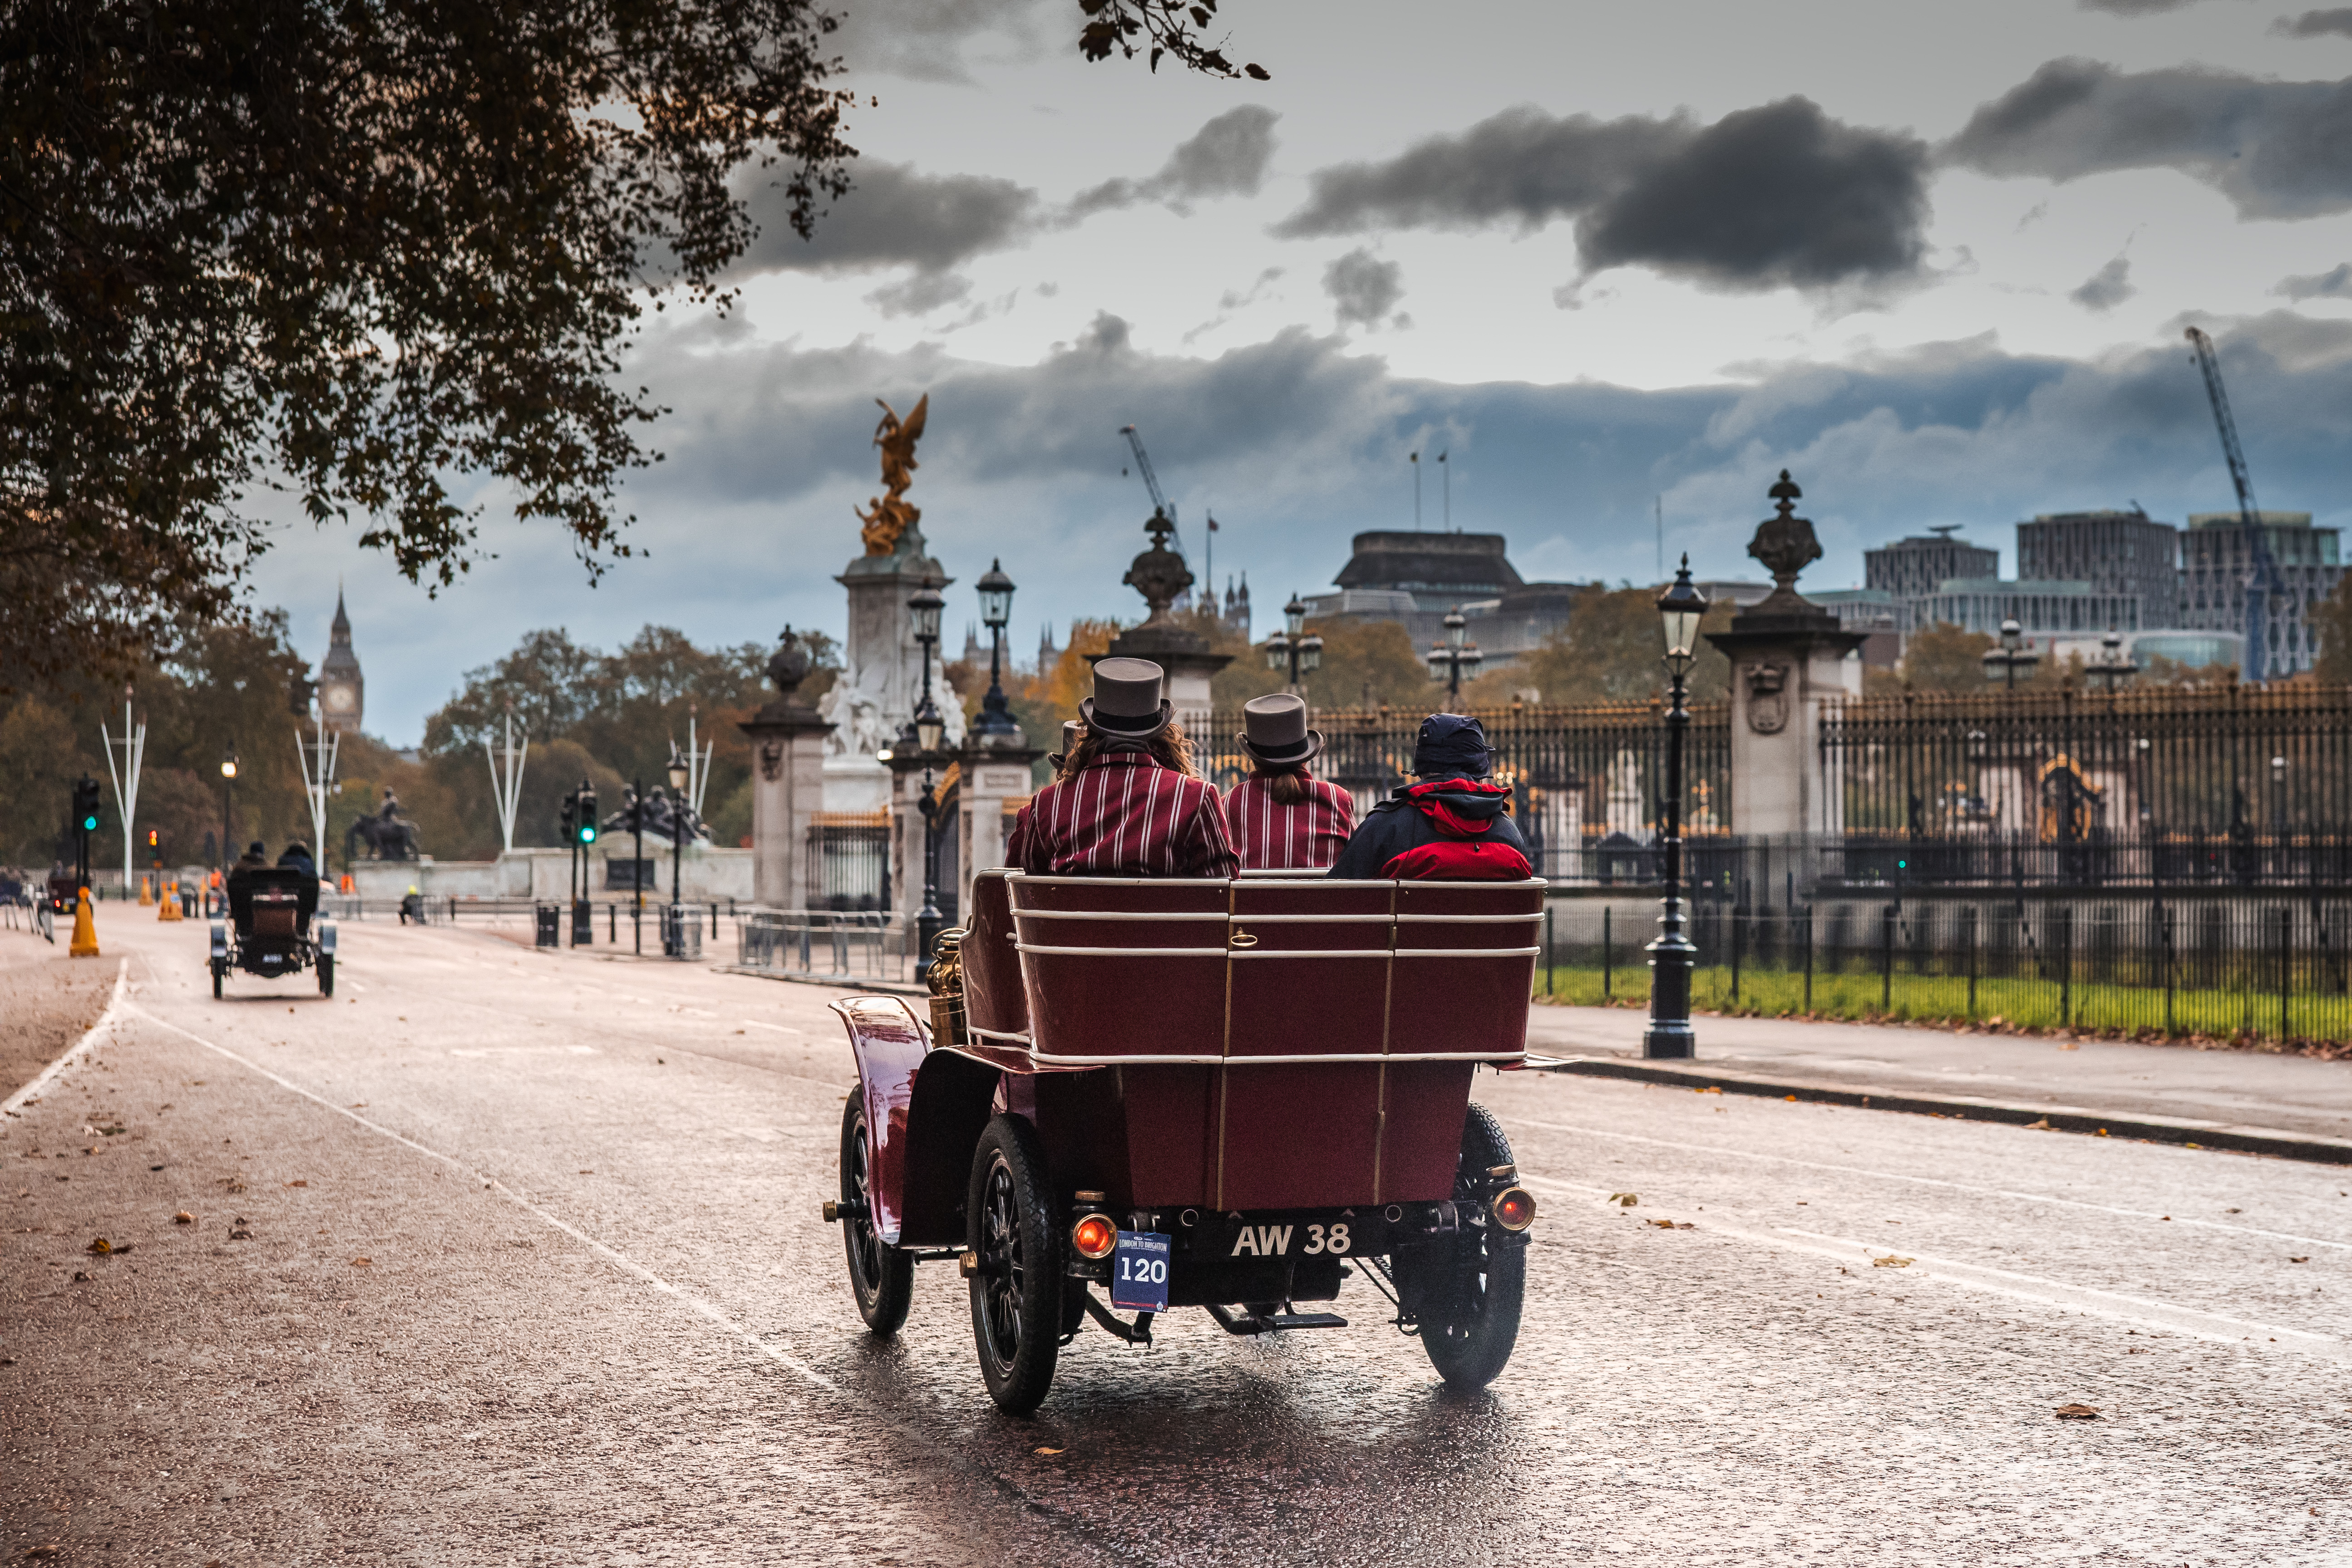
x=1017, y=1294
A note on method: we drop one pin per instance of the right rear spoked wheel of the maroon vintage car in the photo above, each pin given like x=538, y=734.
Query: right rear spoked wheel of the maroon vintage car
x=1471, y=1287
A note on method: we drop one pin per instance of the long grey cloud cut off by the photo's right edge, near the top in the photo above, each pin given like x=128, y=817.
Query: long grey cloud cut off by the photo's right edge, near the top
x=2276, y=149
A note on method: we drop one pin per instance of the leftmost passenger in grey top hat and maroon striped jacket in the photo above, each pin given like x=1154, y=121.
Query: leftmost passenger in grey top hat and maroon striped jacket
x=1130, y=800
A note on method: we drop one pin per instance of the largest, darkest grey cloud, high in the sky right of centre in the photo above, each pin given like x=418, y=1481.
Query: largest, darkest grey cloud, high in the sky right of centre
x=1775, y=196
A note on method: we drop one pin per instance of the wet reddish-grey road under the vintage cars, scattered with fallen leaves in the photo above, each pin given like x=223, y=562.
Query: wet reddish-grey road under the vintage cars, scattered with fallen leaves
x=599, y=1320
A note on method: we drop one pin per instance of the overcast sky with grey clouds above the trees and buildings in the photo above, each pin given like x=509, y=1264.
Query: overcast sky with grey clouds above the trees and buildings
x=1610, y=260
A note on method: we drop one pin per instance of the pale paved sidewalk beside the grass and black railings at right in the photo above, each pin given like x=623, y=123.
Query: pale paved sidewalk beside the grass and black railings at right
x=2226, y=1099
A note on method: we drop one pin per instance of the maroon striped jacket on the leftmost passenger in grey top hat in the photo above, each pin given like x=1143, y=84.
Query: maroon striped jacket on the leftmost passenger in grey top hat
x=1128, y=817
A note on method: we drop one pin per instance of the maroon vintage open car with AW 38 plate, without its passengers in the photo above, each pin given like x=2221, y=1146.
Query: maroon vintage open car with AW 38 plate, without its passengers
x=1198, y=1094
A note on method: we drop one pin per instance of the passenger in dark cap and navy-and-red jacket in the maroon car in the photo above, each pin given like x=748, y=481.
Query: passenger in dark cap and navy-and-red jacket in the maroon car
x=1450, y=826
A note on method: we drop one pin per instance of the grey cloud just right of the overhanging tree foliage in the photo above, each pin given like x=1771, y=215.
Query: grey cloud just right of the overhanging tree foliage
x=893, y=217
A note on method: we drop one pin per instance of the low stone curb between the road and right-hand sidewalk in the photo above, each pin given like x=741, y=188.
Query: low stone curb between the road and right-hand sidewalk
x=1965, y=1108
